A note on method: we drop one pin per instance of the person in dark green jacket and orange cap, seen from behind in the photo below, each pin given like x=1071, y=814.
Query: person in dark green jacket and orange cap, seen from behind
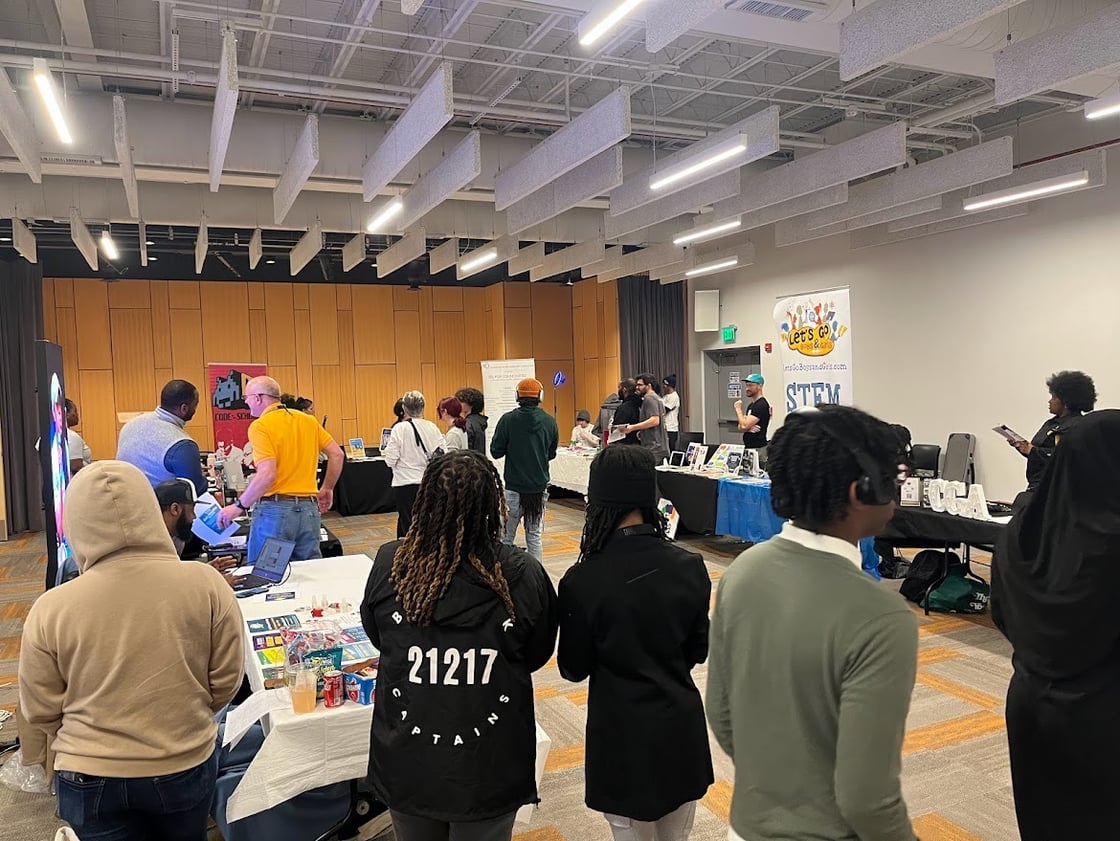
x=527, y=438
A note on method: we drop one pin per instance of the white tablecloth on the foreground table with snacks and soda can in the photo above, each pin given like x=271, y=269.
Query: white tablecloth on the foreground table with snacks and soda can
x=305, y=752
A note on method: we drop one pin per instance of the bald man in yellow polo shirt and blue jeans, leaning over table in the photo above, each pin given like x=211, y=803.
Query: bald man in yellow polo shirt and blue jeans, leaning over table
x=286, y=451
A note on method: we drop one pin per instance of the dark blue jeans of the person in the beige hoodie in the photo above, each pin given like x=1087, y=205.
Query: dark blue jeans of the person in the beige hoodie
x=172, y=808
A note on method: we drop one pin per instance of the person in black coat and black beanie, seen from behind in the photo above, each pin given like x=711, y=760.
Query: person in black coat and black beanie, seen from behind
x=634, y=620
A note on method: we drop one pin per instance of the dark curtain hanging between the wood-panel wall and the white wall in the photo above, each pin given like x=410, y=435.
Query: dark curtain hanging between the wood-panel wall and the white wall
x=651, y=329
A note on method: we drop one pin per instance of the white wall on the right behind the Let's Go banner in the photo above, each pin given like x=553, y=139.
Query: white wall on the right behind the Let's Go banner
x=955, y=333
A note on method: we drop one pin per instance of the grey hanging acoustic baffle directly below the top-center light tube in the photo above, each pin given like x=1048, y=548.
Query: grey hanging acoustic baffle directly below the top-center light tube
x=603, y=126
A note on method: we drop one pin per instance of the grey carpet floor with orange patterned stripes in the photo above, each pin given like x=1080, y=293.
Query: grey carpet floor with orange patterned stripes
x=956, y=774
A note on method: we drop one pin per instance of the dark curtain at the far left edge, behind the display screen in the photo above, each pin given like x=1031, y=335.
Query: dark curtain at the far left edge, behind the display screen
x=21, y=325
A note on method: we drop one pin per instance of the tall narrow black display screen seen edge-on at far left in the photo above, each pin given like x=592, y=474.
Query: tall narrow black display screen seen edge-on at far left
x=54, y=455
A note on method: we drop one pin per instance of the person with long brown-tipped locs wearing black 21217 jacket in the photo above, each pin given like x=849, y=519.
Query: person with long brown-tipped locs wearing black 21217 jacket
x=462, y=622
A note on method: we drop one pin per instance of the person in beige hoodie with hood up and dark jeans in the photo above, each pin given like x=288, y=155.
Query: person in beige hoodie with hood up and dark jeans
x=124, y=669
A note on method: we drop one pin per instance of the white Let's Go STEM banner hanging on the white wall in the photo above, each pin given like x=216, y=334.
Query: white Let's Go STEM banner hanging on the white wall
x=815, y=334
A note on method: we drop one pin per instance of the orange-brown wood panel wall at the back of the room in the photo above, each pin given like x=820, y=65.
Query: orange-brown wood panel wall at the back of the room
x=352, y=349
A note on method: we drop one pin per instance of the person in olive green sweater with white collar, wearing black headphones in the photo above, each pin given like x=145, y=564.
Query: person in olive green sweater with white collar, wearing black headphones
x=813, y=664
